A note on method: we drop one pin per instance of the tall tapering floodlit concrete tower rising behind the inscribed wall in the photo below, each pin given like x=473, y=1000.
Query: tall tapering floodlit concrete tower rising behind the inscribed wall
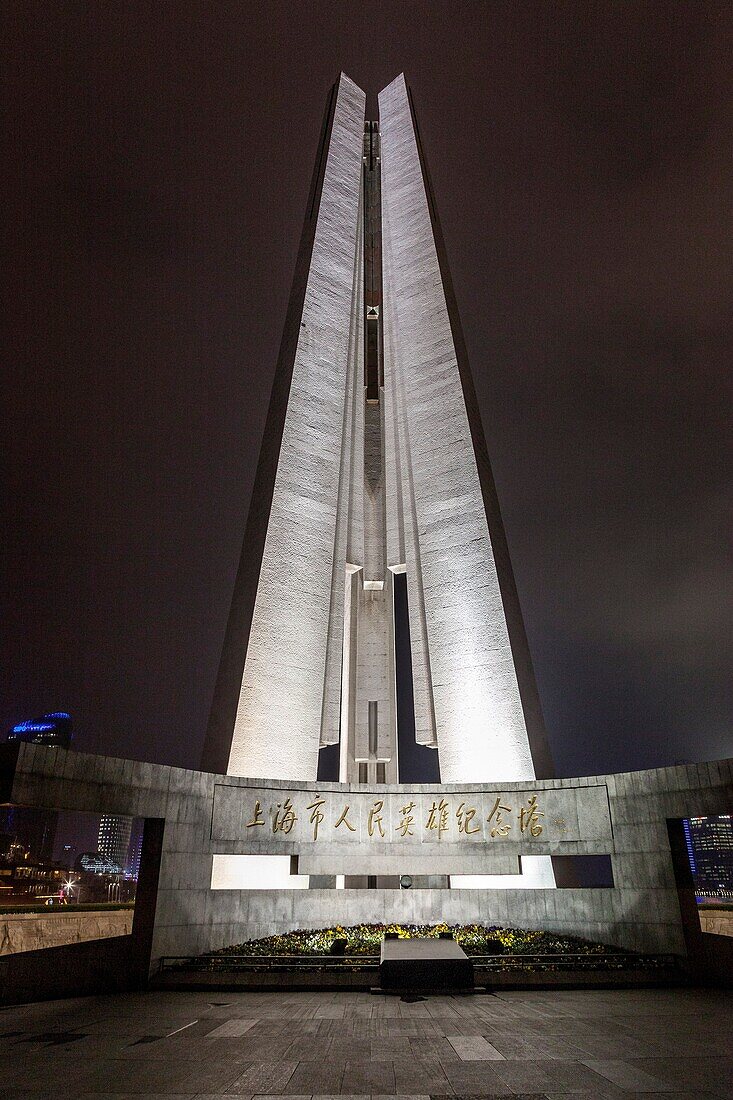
x=375, y=465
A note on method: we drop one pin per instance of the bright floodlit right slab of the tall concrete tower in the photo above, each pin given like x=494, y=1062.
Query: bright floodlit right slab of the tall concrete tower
x=467, y=694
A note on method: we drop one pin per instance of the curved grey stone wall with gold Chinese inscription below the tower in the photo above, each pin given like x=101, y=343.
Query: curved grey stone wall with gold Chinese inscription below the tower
x=207, y=818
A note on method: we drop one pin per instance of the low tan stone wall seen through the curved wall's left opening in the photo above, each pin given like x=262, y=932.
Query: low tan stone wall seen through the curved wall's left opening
x=30, y=932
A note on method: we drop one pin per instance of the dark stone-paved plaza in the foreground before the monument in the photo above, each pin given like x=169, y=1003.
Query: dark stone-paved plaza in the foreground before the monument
x=311, y=1047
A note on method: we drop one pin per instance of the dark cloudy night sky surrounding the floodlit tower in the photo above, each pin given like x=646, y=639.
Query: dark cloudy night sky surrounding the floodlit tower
x=159, y=164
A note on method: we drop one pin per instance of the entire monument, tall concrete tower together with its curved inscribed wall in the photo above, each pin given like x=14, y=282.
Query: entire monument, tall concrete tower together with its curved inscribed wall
x=375, y=475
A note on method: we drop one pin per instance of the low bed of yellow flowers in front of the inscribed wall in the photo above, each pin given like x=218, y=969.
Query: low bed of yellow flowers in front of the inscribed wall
x=366, y=940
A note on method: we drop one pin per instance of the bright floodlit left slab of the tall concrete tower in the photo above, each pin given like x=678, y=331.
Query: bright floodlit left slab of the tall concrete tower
x=279, y=716
